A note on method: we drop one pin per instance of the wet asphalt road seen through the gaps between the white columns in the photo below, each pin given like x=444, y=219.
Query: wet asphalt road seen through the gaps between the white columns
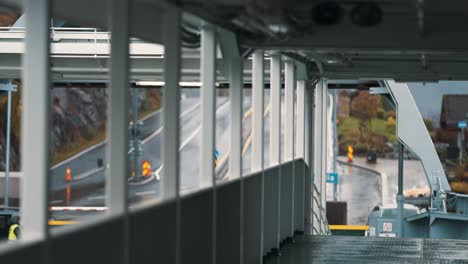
x=90, y=190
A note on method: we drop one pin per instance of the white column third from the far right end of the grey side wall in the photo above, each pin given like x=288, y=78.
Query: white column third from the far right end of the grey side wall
x=275, y=119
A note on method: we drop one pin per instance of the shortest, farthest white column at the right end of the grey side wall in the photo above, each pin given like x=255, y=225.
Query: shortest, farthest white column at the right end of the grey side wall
x=300, y=106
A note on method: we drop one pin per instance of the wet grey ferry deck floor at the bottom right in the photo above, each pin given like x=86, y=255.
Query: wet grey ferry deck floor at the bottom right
x=342, y=249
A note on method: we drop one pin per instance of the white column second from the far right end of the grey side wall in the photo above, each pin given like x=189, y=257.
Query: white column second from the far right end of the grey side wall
x=289, y=83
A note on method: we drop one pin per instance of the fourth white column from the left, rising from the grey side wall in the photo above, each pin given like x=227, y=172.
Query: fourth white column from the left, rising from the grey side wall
x=208, y=101
